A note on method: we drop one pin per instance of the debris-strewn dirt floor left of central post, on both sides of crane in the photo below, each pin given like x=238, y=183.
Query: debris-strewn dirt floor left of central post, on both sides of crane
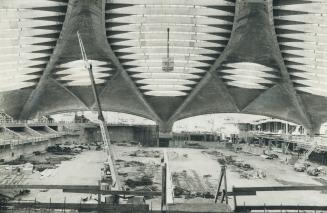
x=85, y=169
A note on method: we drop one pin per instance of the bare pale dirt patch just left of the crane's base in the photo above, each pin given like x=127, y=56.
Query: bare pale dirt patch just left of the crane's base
x=83, y=169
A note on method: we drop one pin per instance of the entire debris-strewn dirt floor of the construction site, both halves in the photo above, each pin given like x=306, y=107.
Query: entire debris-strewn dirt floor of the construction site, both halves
x=197, y=170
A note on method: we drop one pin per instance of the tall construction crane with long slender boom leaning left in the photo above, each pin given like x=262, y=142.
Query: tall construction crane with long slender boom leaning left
x=103, y=128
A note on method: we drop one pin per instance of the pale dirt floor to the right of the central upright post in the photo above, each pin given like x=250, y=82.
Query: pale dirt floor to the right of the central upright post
x=202, y=166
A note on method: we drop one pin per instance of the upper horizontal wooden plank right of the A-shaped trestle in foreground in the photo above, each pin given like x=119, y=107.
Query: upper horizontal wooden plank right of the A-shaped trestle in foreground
x=280, y=188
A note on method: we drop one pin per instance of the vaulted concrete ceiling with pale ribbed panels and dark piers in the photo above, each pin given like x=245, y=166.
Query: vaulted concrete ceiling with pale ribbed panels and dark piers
x=265, y=57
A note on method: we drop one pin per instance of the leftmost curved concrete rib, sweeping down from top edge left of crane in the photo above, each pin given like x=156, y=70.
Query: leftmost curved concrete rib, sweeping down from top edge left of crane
x=38, y=91
